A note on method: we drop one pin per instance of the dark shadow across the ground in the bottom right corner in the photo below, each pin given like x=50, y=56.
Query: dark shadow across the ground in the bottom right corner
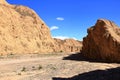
x=108, y=74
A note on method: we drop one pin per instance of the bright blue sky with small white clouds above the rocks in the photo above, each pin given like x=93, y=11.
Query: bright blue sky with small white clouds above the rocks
x=71, y=18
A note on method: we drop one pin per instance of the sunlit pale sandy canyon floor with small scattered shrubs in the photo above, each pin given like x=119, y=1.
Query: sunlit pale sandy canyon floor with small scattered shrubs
x=45, y=67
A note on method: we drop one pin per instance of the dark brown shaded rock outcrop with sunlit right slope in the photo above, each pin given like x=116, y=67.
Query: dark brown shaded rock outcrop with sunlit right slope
x=102, y=42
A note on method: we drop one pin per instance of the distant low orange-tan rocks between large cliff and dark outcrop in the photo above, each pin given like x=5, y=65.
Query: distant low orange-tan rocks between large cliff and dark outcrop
x=67, y=45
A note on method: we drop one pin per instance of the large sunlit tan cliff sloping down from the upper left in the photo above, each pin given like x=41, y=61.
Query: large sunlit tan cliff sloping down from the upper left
x=22, y=31
